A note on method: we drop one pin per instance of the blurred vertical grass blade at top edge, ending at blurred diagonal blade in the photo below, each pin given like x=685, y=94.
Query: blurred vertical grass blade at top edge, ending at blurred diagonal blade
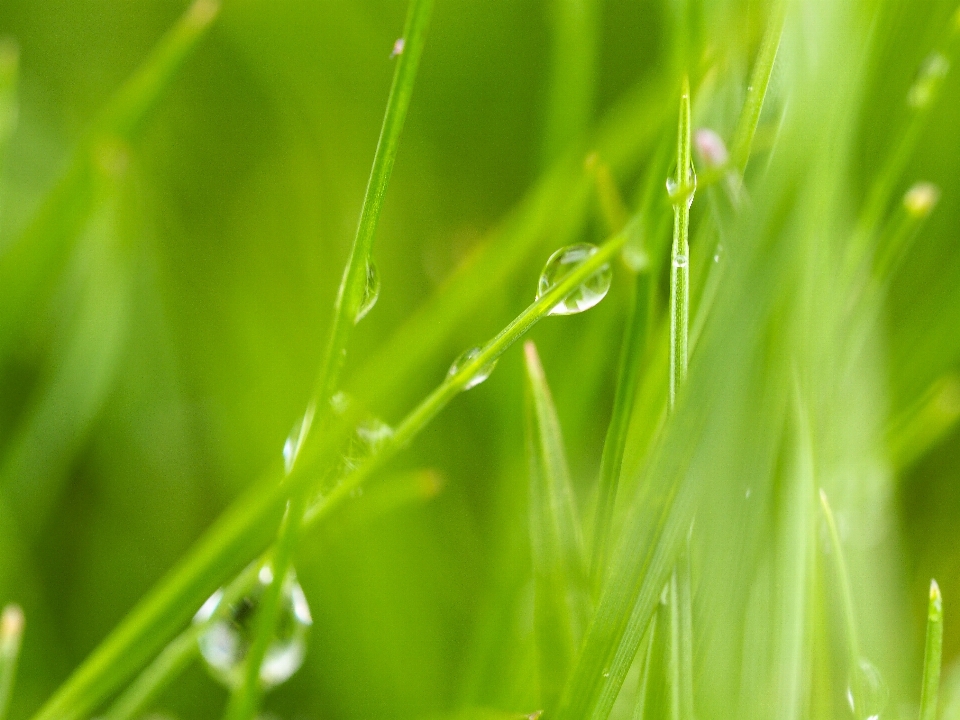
x=575, y=26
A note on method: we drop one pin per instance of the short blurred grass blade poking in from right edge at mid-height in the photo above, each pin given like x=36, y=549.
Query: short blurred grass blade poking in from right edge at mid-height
x=921, y=426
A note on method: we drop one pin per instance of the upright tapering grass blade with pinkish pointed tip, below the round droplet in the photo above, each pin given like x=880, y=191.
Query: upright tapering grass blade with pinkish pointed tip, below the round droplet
x=555, y=538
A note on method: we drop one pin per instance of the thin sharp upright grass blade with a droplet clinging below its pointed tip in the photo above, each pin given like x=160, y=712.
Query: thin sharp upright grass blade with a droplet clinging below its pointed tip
x=682, y=188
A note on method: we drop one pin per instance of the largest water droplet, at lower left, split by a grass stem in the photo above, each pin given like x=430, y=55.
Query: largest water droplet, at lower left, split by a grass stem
x=225, y=643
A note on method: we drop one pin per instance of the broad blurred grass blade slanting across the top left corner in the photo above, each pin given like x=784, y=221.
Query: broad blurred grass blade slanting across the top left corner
x=30, y=266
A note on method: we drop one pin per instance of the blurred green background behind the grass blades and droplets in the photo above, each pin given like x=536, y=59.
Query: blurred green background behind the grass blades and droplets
x=140, y=403
